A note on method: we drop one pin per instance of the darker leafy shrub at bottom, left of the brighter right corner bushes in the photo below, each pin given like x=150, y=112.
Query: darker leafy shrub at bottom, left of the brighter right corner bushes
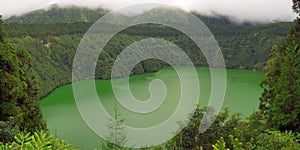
x=190, y=138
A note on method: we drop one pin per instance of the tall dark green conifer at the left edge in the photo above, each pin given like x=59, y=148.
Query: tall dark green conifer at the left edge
x=19, y=91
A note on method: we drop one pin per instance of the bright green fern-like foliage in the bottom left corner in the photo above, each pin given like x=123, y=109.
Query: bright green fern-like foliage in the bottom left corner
x=39, y=140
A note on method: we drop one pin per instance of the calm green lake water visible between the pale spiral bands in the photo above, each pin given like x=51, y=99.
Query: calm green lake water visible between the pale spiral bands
x=64, y=120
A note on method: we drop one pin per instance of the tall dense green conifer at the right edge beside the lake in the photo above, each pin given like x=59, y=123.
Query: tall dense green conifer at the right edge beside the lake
x=280, y=101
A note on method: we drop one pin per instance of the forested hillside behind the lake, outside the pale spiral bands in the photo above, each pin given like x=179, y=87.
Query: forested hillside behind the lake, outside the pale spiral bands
x=52, y=42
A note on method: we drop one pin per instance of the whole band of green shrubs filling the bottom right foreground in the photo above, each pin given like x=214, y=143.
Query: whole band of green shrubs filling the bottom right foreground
x=232, y=133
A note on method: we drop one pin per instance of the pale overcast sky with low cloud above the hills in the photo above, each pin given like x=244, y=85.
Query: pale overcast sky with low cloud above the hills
x=253, y=10
